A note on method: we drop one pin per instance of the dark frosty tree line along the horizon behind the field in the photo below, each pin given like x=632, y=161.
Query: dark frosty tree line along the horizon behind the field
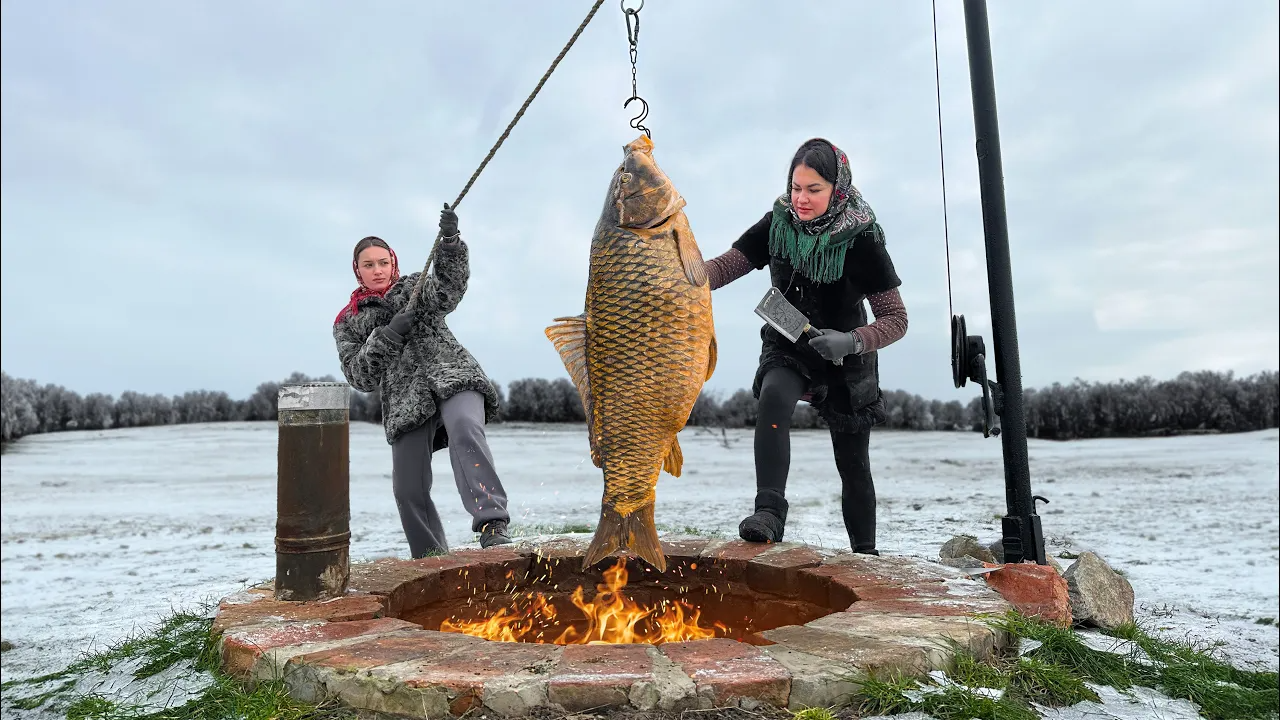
x=1192, y=403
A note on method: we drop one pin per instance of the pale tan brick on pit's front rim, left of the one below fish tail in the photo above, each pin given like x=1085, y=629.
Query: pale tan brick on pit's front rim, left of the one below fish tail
x=465, y=673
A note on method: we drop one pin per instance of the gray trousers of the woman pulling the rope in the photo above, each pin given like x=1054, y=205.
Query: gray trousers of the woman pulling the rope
x=474, y=473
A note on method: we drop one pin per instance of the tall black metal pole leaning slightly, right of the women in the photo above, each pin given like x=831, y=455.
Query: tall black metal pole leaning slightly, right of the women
x=1023, y=539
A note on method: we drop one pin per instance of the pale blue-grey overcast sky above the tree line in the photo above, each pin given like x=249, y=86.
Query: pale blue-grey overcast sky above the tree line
x=184, y=183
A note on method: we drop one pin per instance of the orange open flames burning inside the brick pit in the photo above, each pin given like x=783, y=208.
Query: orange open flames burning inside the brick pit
x=611, y=617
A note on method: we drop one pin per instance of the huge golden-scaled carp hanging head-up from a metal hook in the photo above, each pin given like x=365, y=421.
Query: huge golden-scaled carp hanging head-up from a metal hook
x=642, y=352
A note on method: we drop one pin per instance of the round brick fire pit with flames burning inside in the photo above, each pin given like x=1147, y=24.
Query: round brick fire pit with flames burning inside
x=519, y=627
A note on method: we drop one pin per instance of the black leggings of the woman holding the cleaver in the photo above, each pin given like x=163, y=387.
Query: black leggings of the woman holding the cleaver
x=780, y=391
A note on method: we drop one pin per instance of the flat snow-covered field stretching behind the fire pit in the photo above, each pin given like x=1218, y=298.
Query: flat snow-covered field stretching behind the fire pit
x=104, y=532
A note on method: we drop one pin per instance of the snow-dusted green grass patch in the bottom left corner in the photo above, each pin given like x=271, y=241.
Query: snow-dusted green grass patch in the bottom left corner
x=180, y=640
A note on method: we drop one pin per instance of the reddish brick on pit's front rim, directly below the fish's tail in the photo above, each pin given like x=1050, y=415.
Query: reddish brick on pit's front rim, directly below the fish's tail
x=598, y=676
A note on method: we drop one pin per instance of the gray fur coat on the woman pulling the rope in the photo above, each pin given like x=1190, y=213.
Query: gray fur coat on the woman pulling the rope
x=428, y=367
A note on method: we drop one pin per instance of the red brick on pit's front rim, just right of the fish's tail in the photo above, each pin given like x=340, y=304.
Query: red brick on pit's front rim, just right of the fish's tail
x=732, y=669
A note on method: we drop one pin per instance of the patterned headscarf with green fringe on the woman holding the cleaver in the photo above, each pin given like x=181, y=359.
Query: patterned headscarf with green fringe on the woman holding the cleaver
x=817, y=248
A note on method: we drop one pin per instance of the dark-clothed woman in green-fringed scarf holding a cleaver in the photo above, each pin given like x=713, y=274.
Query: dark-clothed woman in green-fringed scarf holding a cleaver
x=826, y=254
